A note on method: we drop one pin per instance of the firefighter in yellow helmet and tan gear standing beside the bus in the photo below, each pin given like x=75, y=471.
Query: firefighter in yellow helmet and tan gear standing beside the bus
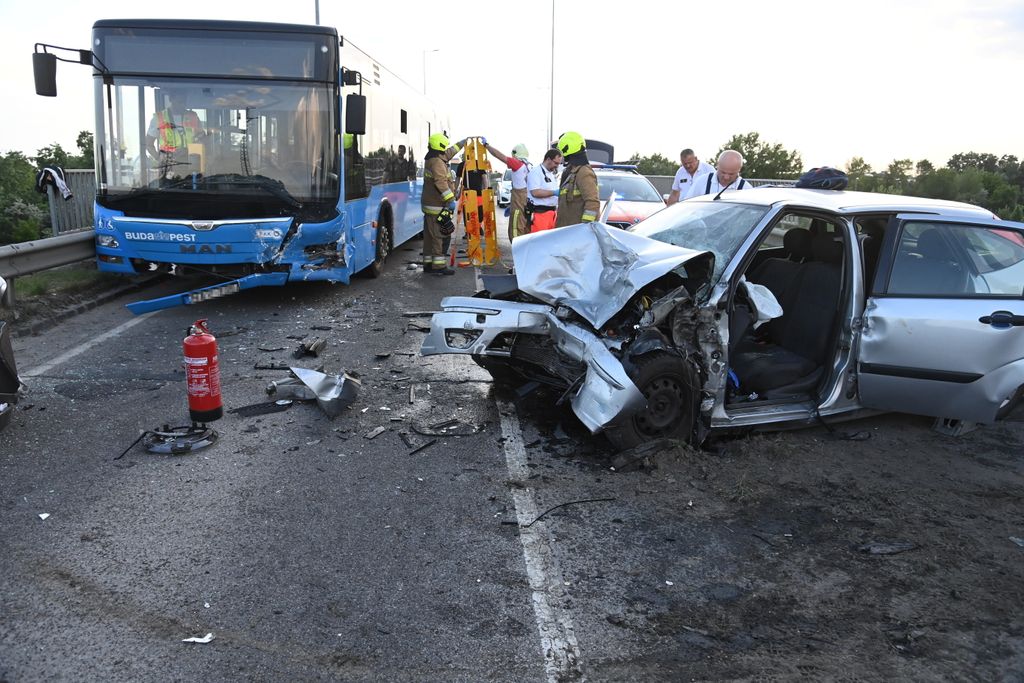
x=439, y=204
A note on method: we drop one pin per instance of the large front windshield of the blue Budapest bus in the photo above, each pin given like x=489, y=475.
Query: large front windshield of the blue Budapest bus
x=222, y=142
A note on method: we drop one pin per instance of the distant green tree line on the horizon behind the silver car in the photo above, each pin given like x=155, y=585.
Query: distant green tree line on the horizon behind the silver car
x=996, y=183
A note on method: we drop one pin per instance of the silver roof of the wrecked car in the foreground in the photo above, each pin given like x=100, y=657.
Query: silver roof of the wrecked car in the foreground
x=848, y=202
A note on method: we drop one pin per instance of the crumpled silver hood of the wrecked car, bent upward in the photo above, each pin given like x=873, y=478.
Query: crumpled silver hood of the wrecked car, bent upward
x=592, y=269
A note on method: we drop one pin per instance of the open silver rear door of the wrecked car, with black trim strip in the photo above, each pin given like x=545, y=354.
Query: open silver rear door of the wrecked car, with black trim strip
x=944, y=327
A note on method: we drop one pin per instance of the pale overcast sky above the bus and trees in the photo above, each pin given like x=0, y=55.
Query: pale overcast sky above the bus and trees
x=881, y=79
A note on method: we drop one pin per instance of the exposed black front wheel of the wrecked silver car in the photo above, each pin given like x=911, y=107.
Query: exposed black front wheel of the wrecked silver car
x=669, y=383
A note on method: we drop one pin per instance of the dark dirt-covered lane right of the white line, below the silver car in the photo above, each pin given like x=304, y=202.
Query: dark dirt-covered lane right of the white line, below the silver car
x=810, y=556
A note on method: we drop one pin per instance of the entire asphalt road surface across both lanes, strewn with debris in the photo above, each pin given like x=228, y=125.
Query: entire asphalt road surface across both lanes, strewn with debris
x=312, y=552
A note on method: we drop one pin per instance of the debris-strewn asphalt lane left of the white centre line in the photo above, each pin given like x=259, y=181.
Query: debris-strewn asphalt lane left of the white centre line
x=310, y=551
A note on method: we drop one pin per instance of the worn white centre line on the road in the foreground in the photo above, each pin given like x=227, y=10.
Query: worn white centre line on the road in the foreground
x=559, y=644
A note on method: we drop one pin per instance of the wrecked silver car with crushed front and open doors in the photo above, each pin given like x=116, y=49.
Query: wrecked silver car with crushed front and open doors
x=769, y=308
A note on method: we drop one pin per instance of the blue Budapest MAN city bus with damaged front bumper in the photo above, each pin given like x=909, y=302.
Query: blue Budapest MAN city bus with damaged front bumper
x=263, y=154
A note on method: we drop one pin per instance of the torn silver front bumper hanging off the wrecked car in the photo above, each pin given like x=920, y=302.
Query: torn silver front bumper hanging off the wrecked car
x=488, y=329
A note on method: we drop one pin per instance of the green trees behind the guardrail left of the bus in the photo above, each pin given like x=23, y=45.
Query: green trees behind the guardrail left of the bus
x=24, y=214
